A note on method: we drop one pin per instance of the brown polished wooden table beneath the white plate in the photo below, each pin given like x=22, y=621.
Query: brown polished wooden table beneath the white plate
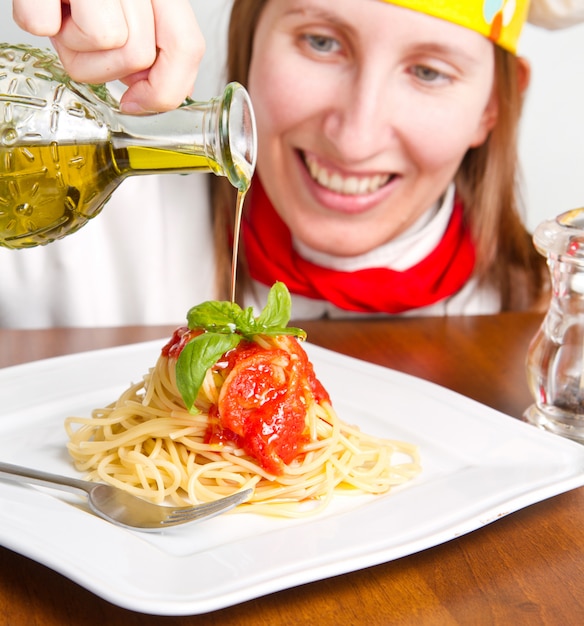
x=526, y=568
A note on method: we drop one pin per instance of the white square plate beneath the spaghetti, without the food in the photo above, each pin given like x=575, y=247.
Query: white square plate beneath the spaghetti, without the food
x=478, y=465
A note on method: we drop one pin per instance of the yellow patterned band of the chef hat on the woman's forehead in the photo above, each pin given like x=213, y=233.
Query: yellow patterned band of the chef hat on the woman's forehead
x=500, y=21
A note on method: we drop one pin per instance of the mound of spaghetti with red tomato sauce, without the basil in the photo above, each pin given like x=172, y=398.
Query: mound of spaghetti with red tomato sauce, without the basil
x=261, y=419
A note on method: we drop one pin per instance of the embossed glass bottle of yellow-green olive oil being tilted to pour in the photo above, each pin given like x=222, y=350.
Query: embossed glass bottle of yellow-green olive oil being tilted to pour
x=65, y=146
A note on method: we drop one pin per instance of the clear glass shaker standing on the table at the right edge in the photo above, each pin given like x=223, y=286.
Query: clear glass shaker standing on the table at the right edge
x=555, y=358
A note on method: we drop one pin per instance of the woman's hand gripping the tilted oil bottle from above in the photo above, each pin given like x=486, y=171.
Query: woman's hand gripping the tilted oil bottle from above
x=153, y=46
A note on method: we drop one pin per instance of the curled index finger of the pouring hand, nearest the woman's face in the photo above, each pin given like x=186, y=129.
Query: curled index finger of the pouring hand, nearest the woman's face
x=180, y=46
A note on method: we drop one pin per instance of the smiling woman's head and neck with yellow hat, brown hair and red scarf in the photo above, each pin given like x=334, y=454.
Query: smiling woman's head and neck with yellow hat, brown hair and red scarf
x=387, y=141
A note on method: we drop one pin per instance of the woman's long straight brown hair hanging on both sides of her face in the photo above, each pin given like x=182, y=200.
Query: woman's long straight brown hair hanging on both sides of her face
x=487, y=182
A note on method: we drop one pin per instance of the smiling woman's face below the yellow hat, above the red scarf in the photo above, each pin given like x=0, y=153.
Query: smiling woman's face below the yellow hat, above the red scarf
x=364, y=111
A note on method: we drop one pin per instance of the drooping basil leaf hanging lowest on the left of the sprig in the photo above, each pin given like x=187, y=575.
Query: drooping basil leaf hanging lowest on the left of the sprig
x=196, y=358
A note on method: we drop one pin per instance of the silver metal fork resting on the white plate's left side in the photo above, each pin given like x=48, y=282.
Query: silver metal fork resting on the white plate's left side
x=118, y=506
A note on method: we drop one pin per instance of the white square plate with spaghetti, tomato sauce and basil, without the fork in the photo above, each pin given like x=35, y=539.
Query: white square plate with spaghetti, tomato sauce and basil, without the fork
x=352, y=464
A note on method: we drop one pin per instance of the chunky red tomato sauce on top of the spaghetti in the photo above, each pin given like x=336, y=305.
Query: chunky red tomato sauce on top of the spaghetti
x=262, y=402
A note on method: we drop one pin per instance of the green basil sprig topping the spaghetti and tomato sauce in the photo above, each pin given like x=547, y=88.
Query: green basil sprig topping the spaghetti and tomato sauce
x=225, y=325
